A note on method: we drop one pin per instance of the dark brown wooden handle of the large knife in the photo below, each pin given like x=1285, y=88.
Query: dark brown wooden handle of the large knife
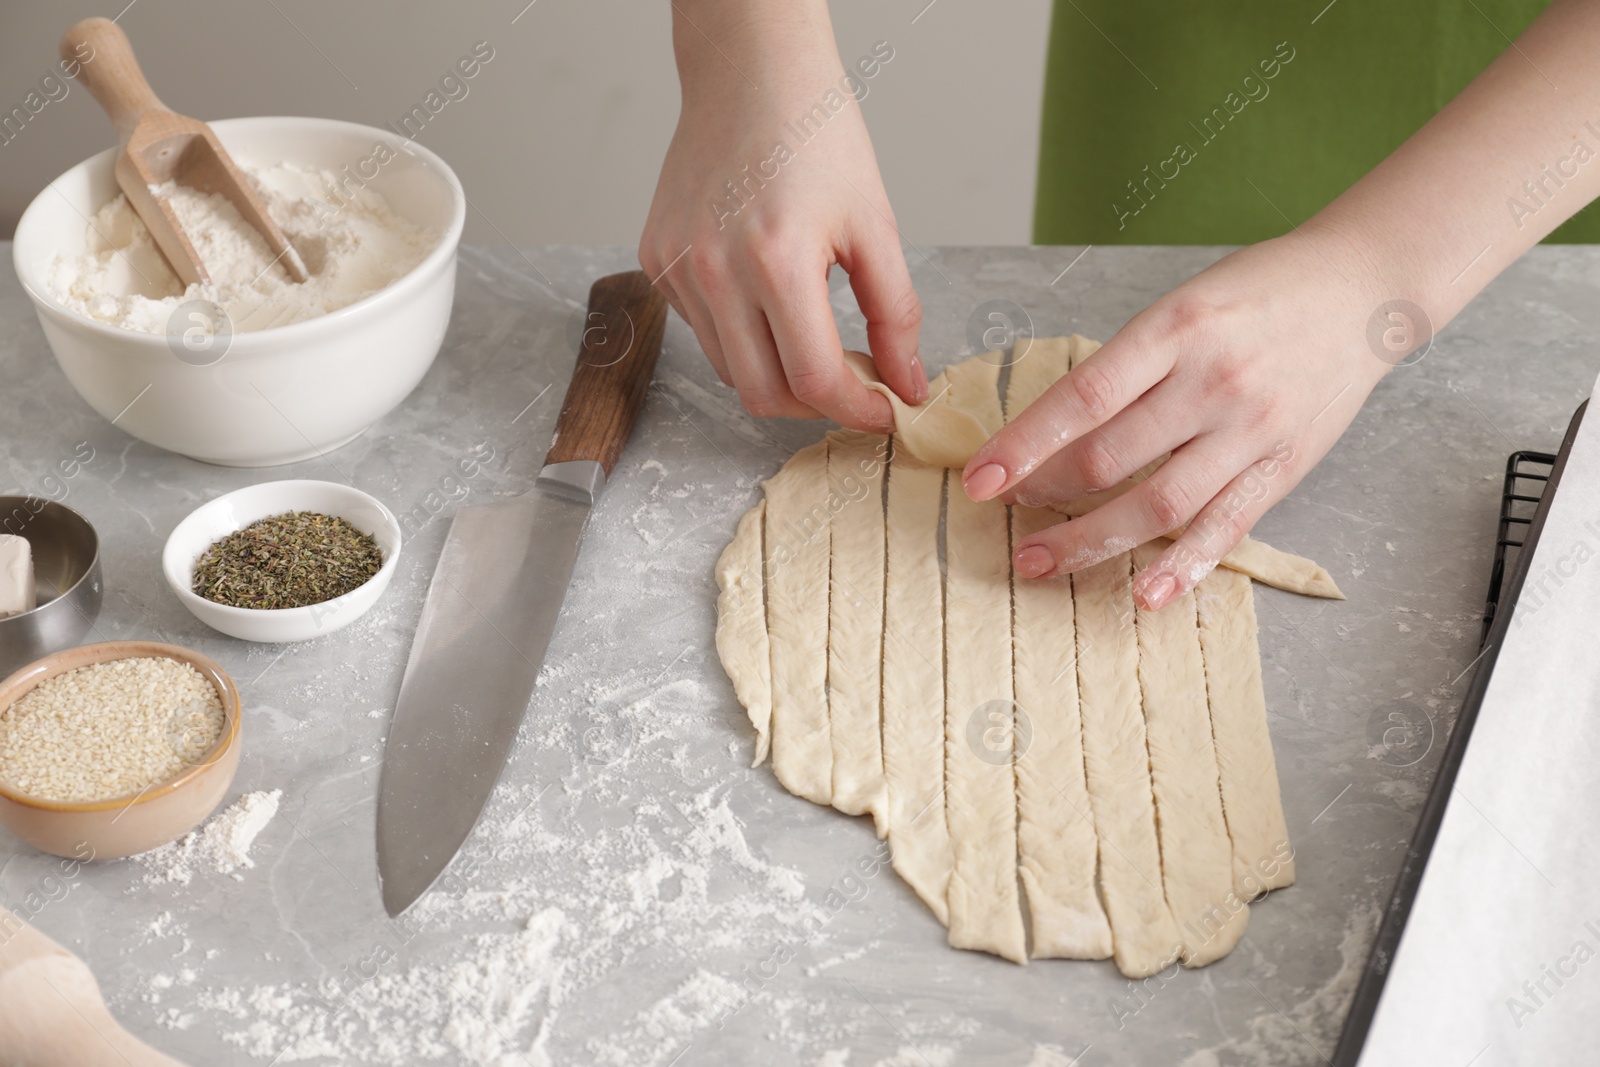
x=622, y=340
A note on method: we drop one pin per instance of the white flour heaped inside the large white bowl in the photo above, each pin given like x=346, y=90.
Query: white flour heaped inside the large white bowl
x=351, y=252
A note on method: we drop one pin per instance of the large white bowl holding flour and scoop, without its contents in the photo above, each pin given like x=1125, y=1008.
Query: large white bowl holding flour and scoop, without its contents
x=278, y=396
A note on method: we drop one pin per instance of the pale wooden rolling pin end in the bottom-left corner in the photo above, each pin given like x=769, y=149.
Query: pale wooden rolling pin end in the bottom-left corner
x=52, y=1013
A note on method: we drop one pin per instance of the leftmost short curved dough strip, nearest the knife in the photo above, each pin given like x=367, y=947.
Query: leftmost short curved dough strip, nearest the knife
x=742, y=626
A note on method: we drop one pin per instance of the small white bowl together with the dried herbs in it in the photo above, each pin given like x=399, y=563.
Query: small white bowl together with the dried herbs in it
x=270, y=543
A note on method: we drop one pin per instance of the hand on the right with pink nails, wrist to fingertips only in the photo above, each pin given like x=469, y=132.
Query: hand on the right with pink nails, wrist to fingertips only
x=1247, y=375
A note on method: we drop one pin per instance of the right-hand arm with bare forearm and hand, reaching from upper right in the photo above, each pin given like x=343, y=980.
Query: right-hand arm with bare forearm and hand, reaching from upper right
x=1250, y=370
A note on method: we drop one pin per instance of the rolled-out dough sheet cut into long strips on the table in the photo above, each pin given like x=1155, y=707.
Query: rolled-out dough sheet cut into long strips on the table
x=1114, y=762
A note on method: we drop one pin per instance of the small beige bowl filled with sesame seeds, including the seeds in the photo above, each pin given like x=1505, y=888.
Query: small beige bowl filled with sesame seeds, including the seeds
x=116, y=749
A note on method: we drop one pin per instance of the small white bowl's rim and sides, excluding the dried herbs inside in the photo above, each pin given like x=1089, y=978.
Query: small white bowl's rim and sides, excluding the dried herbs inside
x=234, y=511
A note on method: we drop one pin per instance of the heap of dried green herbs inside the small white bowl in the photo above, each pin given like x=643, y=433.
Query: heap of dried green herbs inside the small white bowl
x=287, y=561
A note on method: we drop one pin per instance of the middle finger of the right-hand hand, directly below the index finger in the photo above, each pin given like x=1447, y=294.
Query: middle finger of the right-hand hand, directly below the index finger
x=1105, y=458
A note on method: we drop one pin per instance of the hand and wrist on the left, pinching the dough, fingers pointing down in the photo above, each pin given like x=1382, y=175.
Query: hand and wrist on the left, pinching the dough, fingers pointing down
x=770, y=180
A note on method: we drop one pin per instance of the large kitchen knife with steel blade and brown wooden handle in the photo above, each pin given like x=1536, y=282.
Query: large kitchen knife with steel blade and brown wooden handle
x=495, y=599
